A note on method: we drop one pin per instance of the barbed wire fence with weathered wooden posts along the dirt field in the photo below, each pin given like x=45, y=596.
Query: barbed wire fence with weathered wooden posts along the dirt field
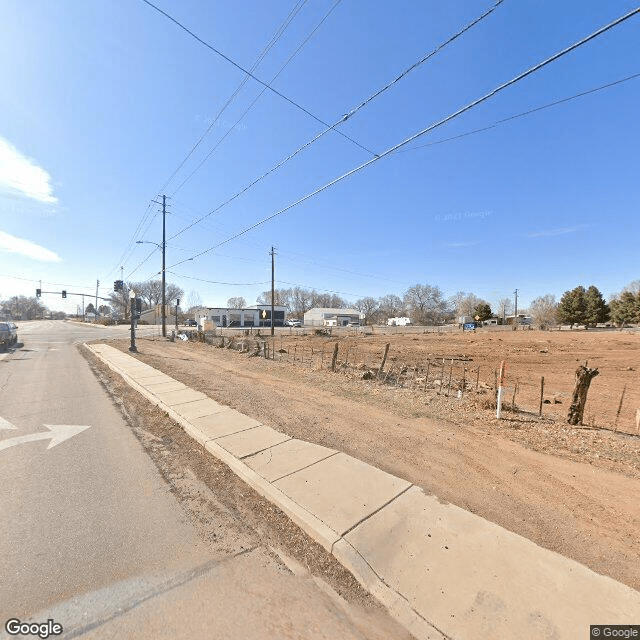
x=456, y=376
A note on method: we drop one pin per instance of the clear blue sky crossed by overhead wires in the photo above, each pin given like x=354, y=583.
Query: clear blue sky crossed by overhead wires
x=101, y=102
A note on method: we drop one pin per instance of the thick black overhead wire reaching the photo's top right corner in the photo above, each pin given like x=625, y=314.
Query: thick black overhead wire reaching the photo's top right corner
x=424, y=131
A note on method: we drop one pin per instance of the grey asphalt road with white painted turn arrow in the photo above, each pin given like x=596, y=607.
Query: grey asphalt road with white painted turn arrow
x=92, y=537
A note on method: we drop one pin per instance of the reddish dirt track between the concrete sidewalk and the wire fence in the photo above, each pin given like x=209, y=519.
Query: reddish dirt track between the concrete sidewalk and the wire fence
x=587, y=510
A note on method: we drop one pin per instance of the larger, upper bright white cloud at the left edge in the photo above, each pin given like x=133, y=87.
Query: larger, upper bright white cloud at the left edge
x=21, y=174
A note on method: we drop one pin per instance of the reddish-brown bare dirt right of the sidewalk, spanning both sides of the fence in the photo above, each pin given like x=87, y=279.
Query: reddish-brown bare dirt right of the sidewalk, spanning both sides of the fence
x=575, y=491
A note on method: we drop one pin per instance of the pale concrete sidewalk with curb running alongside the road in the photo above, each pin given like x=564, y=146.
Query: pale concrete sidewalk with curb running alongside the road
x=441, y=571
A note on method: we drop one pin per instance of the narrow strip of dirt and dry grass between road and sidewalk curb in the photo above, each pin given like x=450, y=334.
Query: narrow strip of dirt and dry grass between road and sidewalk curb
x=233, y=518
